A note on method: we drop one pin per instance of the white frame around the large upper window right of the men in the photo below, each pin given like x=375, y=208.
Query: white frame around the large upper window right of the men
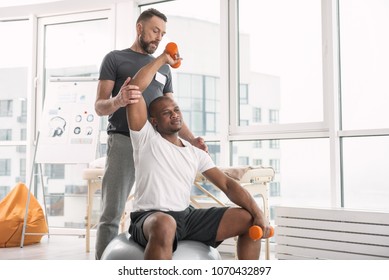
x=328, y=128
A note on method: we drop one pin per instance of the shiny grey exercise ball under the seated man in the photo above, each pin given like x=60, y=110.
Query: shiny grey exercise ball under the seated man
x=124, y=248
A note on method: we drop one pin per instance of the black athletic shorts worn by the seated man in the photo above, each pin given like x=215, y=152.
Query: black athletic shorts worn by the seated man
x=192, y=224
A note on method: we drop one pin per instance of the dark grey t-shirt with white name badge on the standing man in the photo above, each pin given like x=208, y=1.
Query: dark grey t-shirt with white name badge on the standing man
x=117, y=66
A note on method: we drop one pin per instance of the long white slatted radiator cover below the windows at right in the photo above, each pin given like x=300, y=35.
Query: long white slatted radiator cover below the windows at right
x=337, y=234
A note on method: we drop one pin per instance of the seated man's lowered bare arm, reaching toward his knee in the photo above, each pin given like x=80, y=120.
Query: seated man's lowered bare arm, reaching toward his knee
x=236, y=194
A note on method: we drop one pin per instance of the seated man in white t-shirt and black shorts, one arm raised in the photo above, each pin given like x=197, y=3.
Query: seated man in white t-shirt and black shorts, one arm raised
x=165, y=169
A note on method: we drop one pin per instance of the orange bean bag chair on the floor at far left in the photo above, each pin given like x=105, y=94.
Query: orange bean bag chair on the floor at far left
x=12, y=211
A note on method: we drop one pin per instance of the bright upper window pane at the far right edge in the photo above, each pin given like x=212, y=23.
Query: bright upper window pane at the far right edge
x=364, y=59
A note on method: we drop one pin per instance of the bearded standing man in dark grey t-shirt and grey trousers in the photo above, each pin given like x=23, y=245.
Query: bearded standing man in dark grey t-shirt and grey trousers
x=111, y=100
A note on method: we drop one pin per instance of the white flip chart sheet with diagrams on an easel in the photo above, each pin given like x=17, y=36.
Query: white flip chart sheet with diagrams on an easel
x=69, y=128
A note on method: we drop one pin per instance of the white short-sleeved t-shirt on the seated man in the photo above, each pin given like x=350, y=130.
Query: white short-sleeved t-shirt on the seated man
x=164, y=172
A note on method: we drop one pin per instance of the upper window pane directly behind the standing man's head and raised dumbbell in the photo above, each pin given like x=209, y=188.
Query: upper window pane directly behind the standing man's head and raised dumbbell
x=197, y=81
